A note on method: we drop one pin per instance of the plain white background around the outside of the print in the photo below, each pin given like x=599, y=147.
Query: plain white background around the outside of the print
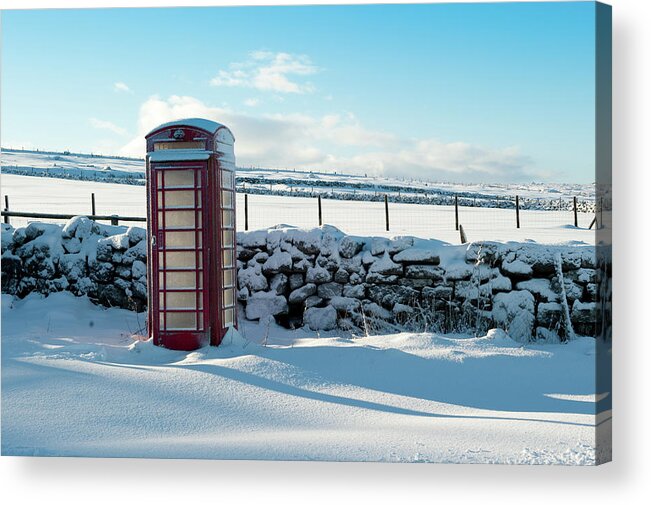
x=102, y=481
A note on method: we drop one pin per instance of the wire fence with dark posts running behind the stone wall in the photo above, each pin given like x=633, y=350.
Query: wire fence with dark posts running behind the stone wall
x=498, y=218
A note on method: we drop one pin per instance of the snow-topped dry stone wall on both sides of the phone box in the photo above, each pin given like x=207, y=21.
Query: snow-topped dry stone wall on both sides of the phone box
x=325, y=279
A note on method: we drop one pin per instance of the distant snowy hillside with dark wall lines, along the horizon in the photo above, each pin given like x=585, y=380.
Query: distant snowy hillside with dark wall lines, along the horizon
x=283, y=182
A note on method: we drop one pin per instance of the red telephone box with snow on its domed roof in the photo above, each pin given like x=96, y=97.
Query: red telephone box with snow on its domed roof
x=191, y=231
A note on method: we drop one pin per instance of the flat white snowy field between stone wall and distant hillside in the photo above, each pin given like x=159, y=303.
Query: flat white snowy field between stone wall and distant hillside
x=49, y=195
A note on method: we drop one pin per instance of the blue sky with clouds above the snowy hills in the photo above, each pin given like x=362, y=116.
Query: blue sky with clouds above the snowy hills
x=463, y=92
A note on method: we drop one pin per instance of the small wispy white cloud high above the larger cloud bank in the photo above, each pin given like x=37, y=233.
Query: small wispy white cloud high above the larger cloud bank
x=267, y=71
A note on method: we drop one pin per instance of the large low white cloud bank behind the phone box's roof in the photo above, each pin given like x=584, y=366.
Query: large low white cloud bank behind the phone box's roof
x=340, y=142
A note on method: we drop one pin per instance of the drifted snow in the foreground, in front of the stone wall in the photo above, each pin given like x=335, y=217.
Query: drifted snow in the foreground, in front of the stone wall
x=75, y=382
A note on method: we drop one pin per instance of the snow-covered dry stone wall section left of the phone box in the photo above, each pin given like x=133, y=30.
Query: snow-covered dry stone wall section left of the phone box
x=106, y=263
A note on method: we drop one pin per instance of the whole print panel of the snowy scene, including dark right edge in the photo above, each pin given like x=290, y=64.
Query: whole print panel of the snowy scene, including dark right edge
x=415, y=265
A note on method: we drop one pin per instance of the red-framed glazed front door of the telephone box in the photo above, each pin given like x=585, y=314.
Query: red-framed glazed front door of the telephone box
x=180, y=263
